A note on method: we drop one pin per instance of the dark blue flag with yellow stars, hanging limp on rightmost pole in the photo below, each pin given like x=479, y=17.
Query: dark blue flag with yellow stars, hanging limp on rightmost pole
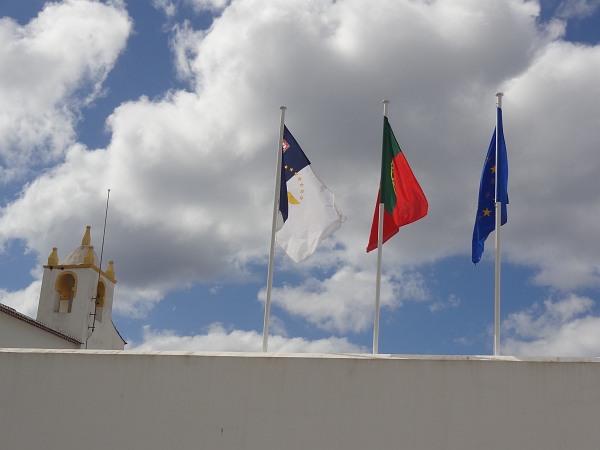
x=485, y=220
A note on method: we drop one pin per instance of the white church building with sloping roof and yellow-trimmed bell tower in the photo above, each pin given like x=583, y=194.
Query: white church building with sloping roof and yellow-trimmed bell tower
x=74, y=309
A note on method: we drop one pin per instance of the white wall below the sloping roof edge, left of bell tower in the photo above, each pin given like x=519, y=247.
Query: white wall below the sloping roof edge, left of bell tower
x=17, y=333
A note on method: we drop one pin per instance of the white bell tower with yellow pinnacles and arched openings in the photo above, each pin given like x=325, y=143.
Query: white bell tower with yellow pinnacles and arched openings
x=76, y=297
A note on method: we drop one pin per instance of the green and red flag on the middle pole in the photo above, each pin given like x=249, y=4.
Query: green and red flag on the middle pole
x=399, y=191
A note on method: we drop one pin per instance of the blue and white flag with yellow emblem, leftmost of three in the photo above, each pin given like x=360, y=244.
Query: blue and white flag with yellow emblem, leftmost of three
x=307, y=210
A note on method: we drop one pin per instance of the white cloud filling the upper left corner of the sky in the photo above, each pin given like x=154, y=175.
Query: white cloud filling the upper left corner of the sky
x=50, y=69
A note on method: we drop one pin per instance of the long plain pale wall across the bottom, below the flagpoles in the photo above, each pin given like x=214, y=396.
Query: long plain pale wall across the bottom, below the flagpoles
x=123, y=400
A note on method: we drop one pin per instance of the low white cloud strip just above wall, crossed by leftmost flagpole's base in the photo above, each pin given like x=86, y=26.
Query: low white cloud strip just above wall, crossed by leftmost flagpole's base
x=217, y=338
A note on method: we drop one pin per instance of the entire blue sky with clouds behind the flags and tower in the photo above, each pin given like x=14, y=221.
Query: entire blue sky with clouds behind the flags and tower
x=174, y=105
